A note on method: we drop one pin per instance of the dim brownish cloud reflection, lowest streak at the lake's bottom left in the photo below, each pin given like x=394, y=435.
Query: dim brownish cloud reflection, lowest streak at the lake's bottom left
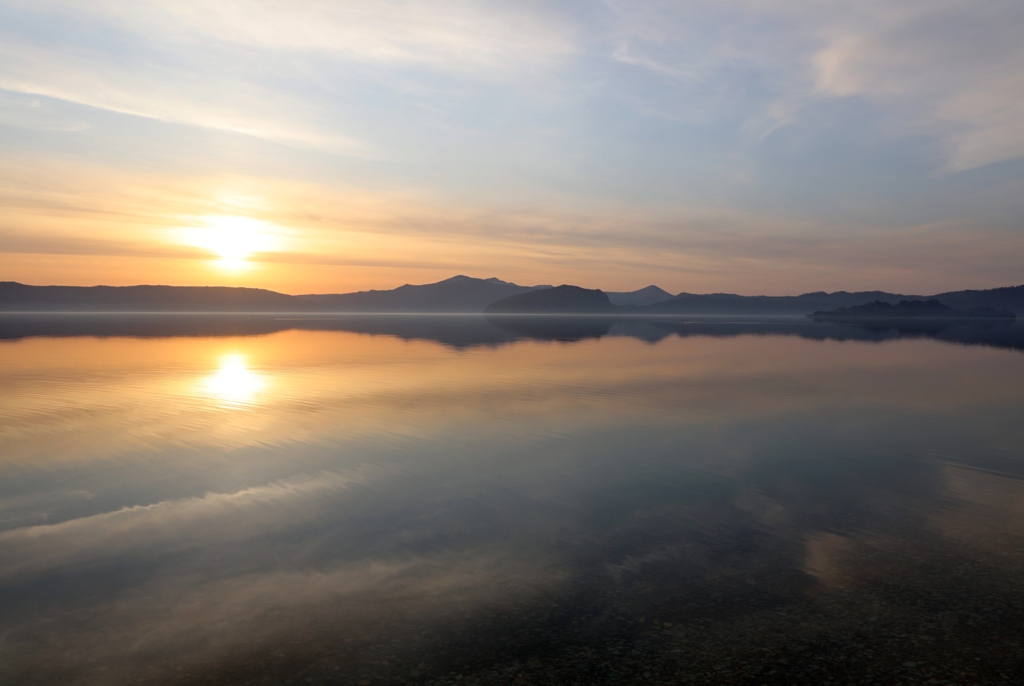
x=186, y=618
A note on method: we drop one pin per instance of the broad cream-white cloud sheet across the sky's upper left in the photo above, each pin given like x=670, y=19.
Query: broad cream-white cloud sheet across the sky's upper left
x=266, y=69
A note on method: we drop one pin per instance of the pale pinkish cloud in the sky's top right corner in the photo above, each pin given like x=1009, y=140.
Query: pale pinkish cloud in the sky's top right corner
x=954, y=69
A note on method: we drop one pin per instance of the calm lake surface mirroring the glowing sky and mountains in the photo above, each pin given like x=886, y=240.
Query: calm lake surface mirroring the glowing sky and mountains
x=242, y=500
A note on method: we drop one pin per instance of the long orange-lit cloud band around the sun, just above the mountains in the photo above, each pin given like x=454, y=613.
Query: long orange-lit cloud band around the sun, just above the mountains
x=686, y=247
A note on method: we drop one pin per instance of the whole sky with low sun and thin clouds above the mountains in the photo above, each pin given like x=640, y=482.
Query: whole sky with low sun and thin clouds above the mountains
x=754, y=147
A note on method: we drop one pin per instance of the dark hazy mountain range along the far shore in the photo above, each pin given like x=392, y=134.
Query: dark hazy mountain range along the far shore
x=465, y=294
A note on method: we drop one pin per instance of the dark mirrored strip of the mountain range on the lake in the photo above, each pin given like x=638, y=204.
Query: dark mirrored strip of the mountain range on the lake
x=473, y=330
